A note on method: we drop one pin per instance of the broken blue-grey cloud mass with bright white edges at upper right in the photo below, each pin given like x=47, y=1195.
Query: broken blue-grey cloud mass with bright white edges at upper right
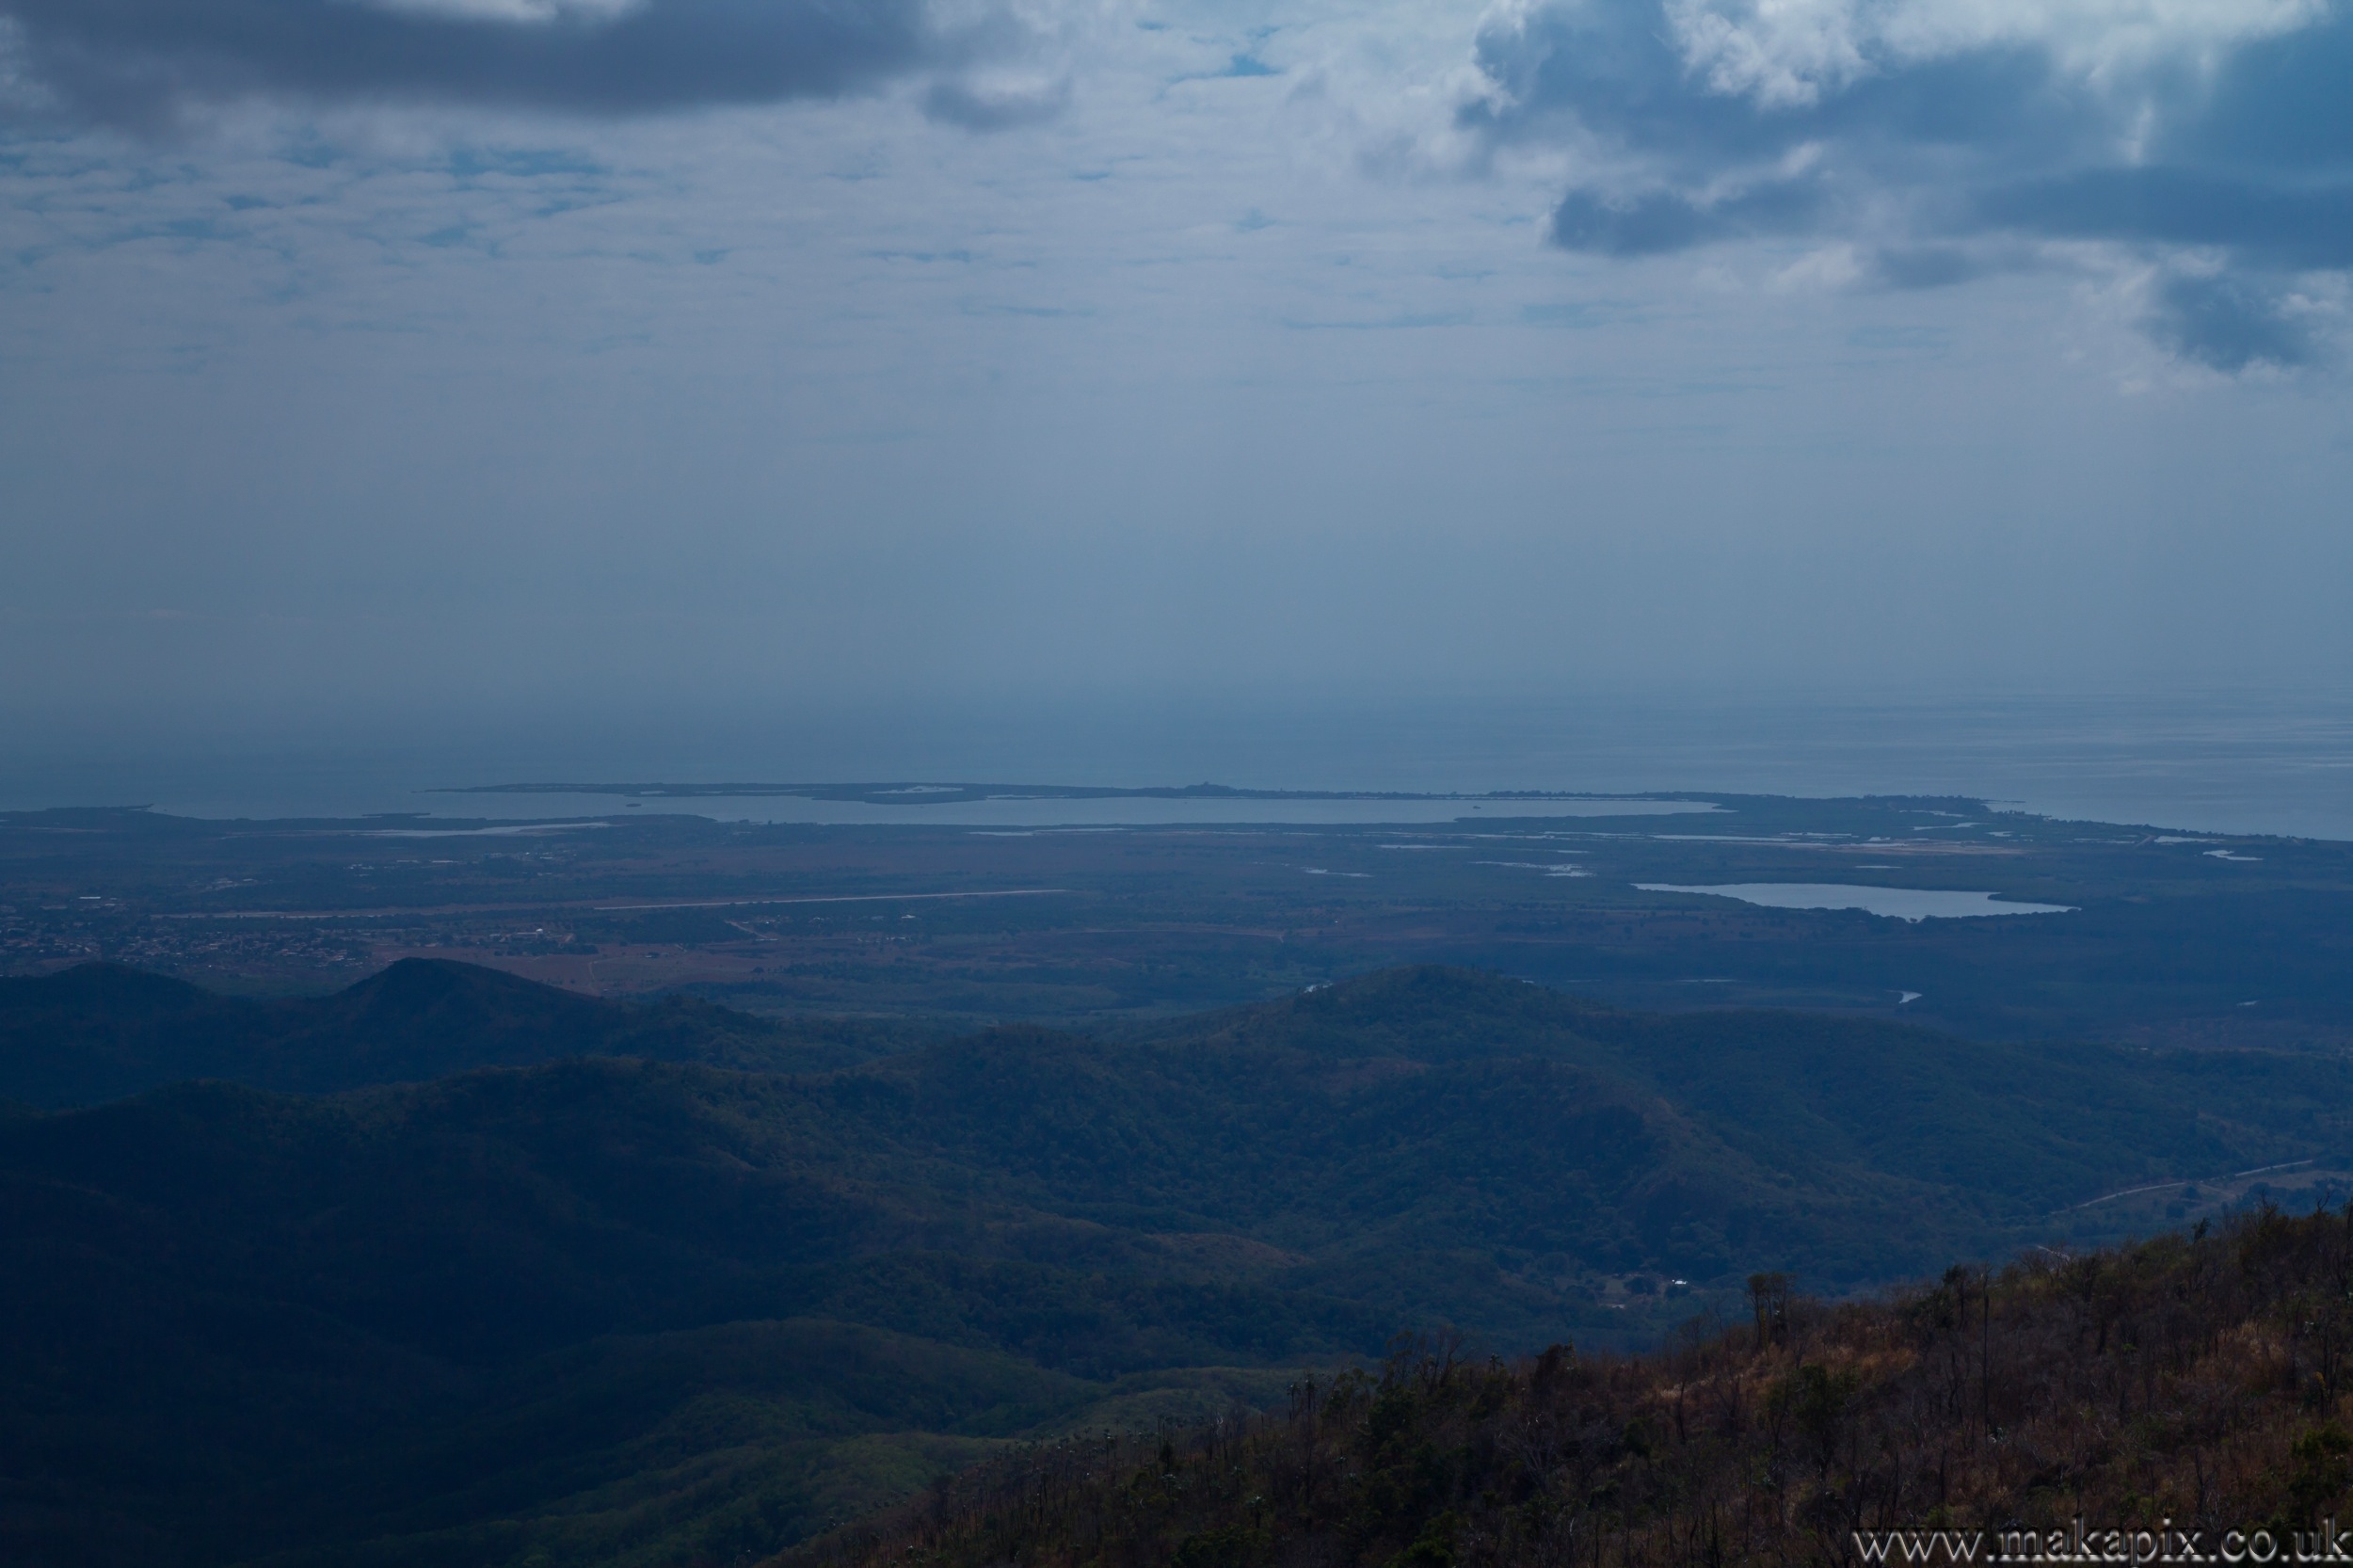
x=1952, y=166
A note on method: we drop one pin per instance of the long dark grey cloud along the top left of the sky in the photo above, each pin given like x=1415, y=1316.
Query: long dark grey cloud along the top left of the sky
x=145, y=60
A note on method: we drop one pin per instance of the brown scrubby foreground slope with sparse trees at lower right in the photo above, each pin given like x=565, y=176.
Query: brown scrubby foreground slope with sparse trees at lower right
x=2187, y=1386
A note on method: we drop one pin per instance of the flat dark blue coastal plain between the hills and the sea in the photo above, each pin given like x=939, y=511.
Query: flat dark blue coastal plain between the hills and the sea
x=2168, y=938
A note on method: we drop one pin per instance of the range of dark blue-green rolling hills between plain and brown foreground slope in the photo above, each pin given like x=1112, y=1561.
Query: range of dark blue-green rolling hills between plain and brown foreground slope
x=608, y=1308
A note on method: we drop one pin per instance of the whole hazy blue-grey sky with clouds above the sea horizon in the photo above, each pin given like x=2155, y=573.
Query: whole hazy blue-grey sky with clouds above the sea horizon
x=371, y=366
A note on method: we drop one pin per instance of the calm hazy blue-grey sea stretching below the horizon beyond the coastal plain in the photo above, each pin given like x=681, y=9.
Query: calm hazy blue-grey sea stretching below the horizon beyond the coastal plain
x=2208, y=762
